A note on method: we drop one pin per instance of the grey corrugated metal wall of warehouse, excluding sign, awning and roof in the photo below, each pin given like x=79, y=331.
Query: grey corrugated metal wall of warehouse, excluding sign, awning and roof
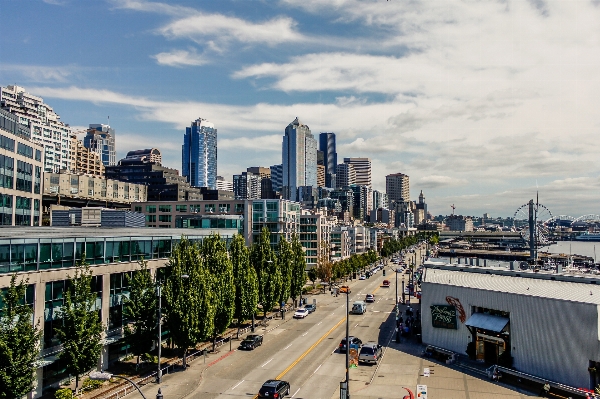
x=550, y=338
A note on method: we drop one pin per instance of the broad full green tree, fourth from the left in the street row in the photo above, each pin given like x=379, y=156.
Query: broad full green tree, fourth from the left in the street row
x=189, y=301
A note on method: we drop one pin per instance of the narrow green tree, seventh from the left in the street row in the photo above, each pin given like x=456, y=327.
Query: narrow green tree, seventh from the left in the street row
x=267, y=272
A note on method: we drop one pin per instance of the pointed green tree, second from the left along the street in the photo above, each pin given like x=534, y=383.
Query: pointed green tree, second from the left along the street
x=81, y=330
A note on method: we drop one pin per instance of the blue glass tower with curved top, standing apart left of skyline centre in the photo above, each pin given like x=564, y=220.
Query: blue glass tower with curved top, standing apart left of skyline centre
x=199, y=154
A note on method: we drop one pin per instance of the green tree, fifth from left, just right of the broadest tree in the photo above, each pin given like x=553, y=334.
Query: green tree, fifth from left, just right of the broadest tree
x=220, y=270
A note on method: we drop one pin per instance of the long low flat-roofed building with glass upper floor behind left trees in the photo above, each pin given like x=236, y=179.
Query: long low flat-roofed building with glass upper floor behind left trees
x=46, y=257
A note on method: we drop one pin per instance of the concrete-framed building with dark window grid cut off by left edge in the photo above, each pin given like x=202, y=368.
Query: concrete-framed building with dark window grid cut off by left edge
x=21, y=165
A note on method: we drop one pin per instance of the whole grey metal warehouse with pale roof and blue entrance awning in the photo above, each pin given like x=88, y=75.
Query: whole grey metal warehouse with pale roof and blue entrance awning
x=548, y=323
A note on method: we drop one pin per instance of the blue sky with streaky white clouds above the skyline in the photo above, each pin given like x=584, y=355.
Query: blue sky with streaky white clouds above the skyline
x=482, y=103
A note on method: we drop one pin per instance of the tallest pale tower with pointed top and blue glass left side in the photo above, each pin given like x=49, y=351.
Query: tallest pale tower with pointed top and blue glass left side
x=299, y=155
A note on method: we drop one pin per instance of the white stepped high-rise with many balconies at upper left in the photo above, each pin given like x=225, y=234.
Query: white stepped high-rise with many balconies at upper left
x=44, y=126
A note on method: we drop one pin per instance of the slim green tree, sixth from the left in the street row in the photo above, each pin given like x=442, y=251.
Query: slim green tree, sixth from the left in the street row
x=244, y=278
